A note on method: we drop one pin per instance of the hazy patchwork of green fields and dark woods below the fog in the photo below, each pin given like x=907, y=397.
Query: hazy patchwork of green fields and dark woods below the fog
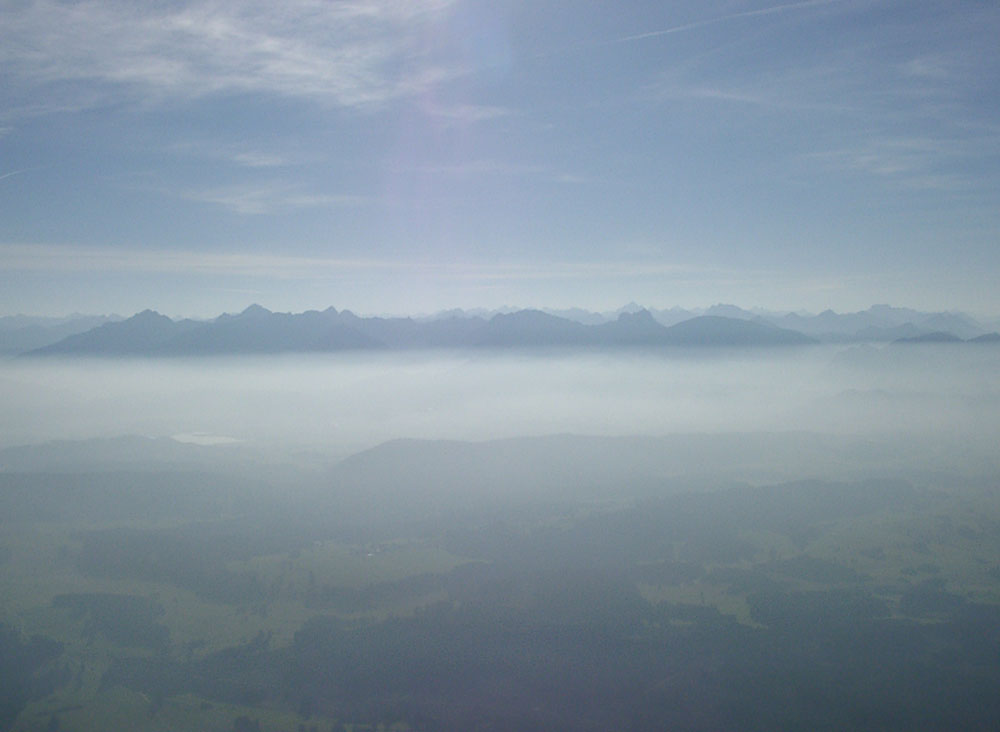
x=170, y=623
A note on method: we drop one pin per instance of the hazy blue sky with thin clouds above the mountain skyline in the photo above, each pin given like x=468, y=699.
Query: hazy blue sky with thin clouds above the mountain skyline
x=406, y=156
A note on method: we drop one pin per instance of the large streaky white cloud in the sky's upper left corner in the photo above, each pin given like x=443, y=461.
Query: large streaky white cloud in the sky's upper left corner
x=355, y=53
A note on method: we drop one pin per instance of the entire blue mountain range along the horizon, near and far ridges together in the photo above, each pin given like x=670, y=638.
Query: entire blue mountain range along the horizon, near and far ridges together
x=259, y=330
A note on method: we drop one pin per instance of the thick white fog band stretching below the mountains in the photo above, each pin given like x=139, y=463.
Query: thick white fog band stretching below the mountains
x=344, y=403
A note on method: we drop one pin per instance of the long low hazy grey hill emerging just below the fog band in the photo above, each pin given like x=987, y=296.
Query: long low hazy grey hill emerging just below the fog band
x=404, y=480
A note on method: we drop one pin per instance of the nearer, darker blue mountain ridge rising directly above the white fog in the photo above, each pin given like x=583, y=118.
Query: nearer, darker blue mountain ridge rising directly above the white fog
x=258, y=330
